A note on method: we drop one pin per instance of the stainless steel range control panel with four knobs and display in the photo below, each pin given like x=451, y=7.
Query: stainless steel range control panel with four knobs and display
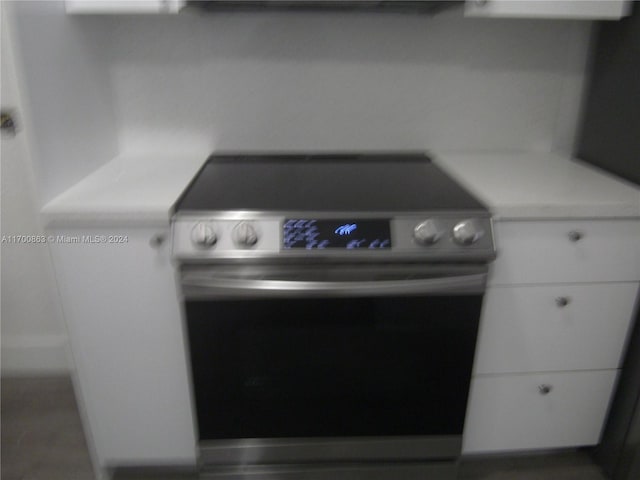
x=423, y=237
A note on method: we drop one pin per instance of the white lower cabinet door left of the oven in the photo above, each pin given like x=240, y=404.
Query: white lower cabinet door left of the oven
x=120, y=302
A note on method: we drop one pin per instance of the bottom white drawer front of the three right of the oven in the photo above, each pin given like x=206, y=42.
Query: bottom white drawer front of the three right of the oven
x=508, y=412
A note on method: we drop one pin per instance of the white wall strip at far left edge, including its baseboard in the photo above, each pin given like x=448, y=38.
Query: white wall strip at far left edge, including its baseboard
x=32, y=330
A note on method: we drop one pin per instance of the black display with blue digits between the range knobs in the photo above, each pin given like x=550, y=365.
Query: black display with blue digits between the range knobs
x=344, y=234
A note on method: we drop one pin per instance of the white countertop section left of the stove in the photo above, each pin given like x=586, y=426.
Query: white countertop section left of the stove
x=132, y=189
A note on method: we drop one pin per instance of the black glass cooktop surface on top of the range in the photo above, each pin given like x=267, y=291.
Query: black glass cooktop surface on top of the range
x=325, y=182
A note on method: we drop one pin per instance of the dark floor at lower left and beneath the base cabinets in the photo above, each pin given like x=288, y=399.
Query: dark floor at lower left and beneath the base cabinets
x=42, y=439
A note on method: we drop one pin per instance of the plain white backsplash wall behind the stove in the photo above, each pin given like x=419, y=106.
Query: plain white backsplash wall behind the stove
x=327, y=81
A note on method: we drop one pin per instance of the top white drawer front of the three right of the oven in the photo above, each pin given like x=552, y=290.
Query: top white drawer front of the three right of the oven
x=544, y=252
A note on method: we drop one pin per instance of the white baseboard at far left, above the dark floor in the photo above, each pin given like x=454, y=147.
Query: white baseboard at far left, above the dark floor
x=28, y=355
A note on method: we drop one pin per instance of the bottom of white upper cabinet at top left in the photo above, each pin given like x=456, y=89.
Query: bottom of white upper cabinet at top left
x=123, y=6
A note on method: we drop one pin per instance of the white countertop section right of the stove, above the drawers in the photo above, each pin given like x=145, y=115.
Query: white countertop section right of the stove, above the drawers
x=542, y=185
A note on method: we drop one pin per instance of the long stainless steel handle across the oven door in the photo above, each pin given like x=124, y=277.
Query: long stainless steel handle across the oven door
x=196, y=286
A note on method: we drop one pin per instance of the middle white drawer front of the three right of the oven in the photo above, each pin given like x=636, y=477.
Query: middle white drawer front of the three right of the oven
x=530, y=329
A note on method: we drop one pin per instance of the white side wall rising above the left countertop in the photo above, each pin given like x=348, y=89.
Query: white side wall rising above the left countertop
x=67, y=95
